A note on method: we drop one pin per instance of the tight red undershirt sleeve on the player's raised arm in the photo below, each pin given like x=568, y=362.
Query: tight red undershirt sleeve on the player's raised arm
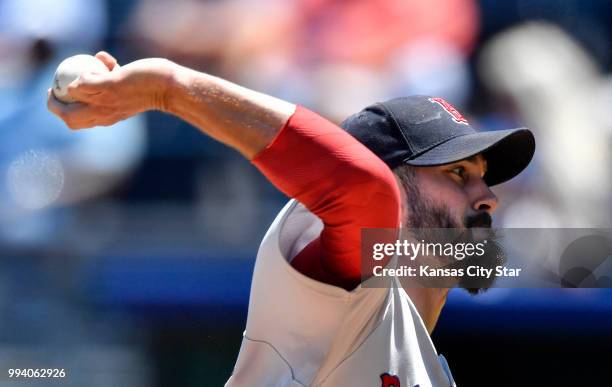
x=338, y=179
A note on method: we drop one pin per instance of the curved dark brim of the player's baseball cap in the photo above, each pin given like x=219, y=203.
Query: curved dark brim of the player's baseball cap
x=507, y=152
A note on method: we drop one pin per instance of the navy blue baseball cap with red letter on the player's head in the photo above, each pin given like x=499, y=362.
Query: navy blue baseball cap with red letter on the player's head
x=428, y=131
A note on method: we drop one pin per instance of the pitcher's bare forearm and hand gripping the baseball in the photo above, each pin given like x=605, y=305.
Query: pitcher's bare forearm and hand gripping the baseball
x=241, y=118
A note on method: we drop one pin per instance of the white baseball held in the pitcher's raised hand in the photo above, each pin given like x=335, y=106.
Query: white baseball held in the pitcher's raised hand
x=70, y=69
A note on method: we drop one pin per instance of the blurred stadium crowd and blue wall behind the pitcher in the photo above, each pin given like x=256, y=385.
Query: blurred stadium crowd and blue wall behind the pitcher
x=126, y=252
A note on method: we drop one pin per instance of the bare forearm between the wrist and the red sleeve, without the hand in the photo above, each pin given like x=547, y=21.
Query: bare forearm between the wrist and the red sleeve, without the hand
x=234, y=115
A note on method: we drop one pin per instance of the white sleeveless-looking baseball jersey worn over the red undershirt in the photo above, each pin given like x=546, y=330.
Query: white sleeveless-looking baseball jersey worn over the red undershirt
x=301, y=332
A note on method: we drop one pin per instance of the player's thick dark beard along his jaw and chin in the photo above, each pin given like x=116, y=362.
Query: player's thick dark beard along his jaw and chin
x=426, y=221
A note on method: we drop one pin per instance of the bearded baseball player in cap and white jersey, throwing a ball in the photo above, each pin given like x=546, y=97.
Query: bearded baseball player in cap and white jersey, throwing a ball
x=412, y=161
